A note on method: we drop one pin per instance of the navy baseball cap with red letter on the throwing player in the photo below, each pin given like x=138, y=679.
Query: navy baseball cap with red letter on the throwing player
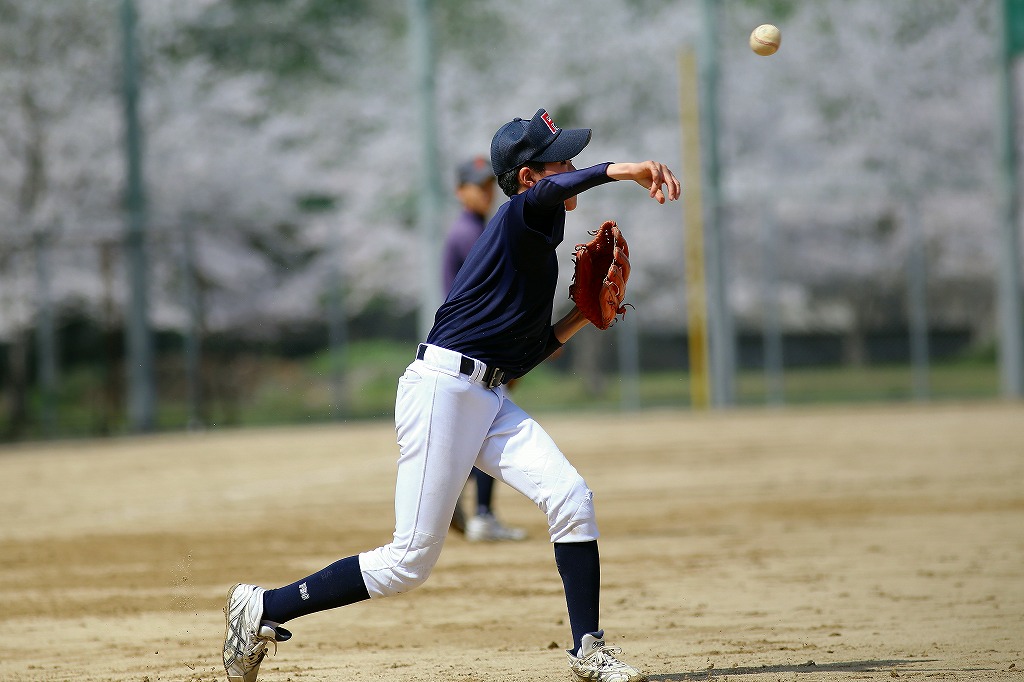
x=539, y=140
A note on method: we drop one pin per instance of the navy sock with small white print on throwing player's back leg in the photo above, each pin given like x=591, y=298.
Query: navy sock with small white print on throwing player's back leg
x=338, y=585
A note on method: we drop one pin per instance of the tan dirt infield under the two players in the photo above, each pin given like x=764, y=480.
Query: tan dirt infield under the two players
x=865, y=544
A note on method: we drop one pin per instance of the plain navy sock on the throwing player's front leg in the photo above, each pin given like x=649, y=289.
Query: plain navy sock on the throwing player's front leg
x=580, y=567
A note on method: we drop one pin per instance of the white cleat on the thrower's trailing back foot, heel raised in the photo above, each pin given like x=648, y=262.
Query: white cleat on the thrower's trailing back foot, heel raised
x=247, y=634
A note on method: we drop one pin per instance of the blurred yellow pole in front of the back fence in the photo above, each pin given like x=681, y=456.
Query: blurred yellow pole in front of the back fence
x=697, y=301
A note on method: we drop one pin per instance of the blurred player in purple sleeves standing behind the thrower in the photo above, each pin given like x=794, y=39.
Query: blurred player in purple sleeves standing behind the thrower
x=476, y=192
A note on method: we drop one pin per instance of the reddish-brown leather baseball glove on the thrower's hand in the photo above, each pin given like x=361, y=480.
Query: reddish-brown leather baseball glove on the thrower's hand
x=602, y=270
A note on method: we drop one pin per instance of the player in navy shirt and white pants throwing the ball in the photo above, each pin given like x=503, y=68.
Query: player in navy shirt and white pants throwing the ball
x=452, y=411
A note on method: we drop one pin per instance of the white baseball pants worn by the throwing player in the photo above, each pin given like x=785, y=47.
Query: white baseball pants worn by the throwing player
x=447, y=422
